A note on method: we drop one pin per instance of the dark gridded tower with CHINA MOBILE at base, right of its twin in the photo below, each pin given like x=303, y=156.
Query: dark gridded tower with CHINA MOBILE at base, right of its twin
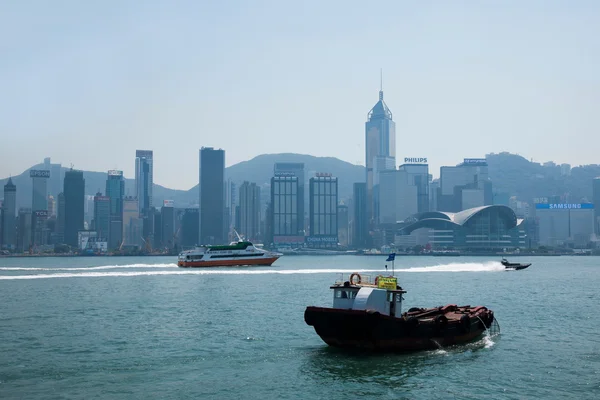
x=323, y=213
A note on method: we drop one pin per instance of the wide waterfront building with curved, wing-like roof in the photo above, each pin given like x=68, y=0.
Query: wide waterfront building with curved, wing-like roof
x=486, y=227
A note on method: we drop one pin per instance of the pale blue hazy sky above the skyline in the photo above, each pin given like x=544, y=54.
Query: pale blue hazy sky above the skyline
x=89, y=82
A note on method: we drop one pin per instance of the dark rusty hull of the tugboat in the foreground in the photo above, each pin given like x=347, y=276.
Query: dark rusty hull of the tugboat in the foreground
x=373, y=331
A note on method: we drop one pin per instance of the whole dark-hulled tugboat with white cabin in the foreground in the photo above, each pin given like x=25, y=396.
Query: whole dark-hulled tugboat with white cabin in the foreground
x=367, y=315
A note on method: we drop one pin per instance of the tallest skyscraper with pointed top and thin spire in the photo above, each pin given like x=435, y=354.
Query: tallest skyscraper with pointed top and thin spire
x=380, y=141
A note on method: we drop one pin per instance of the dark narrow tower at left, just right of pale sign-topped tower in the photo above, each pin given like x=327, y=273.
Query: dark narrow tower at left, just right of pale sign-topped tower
x=74, y=191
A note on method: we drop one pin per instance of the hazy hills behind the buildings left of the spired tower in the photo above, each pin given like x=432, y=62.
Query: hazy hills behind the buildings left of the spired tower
x=258, y=170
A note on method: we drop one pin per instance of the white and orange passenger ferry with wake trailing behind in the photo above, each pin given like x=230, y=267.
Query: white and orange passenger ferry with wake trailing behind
x=237, y=253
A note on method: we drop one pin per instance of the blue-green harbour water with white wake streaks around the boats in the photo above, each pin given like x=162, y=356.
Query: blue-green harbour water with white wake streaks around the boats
x=141, y=328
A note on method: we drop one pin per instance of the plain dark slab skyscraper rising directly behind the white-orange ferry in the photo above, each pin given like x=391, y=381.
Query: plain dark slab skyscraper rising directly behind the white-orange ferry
x=212, y=196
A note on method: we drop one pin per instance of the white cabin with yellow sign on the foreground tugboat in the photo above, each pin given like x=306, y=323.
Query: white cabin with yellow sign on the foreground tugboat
x=383, y=295
